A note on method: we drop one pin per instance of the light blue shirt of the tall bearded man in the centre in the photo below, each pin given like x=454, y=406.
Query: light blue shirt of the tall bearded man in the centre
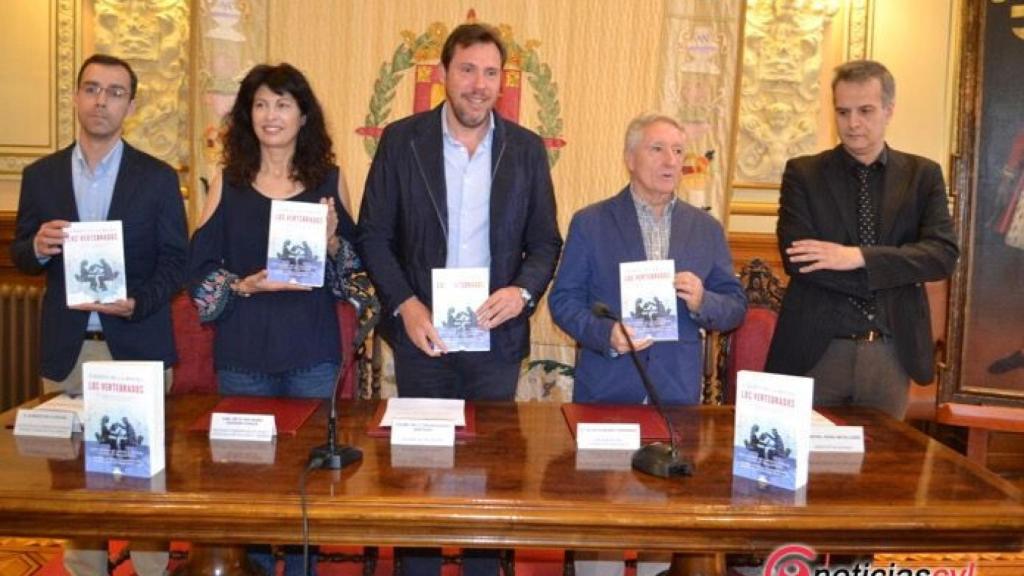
x=468, y=183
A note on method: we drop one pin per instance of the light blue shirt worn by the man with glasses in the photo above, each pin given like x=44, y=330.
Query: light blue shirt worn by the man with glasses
x=94, y=191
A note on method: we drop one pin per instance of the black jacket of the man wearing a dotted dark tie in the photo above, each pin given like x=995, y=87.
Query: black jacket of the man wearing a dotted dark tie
x=917, y=244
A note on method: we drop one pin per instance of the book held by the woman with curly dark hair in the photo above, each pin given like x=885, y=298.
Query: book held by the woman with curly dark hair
x=297, y=245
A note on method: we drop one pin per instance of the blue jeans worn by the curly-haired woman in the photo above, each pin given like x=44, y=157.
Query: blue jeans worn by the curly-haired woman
x=313, y=382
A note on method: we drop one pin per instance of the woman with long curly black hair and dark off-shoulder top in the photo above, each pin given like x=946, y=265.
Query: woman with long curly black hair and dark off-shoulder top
x=274, y=339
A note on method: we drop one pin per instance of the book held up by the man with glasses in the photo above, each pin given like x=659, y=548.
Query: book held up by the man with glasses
x=95, y=263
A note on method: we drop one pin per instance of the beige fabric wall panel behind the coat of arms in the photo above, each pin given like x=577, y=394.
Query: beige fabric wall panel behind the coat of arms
x=605, y=57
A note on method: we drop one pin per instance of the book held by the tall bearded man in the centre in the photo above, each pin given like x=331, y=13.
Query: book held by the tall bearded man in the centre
x=458, y=294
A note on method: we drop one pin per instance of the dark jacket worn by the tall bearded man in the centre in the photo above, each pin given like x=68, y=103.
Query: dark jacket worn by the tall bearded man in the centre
x=404, y=220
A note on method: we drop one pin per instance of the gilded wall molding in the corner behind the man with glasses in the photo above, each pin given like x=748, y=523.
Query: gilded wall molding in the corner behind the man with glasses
x=64, y=23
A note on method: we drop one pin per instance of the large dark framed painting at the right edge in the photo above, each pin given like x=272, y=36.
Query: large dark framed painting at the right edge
x=987, y=321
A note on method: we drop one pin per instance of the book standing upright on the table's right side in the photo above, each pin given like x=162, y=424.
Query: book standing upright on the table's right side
x=773, y=429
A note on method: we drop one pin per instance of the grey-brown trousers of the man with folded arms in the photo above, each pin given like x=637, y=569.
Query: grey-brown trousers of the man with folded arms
x=862, y=374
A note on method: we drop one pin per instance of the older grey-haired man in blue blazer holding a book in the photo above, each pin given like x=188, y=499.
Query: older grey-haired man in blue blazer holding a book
x=645, y=222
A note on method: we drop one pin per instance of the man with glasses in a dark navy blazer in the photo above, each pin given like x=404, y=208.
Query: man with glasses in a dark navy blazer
x=101, y=178
